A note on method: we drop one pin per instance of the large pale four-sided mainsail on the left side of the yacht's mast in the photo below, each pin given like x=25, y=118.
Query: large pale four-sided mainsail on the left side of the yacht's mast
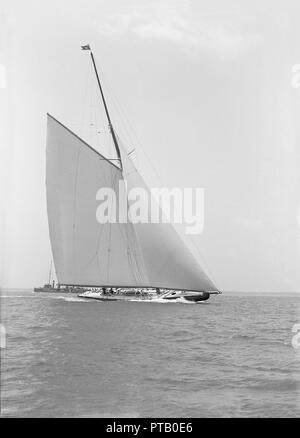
x=84, y=251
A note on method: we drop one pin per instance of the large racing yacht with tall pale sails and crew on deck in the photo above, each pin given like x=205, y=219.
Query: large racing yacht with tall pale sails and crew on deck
x=114, y=261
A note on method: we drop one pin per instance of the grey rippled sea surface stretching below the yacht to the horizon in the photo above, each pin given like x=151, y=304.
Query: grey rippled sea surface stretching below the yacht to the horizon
x=231, y=356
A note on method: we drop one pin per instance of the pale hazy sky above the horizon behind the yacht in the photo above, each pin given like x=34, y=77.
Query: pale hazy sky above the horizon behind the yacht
x=206, y=86
